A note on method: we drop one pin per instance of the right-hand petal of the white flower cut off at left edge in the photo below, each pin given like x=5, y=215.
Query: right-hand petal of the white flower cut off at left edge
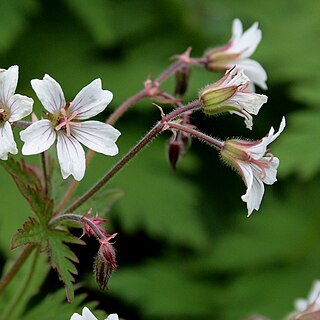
x=20, y=107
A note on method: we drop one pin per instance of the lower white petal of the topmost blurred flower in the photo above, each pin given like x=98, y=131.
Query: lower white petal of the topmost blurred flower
x=254, y=71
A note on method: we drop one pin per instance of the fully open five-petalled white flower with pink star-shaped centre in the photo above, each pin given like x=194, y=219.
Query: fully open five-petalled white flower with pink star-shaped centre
x=63, y=124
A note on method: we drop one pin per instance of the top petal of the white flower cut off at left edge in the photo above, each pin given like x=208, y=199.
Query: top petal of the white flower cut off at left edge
x=8, y=83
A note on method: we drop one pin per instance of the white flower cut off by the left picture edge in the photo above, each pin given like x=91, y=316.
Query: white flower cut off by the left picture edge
x=13, y=107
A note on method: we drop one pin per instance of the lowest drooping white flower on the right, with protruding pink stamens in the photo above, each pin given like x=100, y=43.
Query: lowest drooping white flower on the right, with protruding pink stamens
x=254, y=164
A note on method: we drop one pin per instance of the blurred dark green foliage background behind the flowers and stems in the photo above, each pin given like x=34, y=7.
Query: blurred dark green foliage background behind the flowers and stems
x=185, y=248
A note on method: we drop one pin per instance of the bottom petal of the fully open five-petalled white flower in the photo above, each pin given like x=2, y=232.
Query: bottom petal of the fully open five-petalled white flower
x=71, y=157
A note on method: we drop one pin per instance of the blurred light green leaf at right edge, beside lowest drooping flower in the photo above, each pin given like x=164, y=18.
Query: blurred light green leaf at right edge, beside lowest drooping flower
x=297, y=149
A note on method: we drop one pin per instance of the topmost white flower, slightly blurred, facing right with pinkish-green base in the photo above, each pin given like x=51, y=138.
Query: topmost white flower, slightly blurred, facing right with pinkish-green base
x=237, y=52
